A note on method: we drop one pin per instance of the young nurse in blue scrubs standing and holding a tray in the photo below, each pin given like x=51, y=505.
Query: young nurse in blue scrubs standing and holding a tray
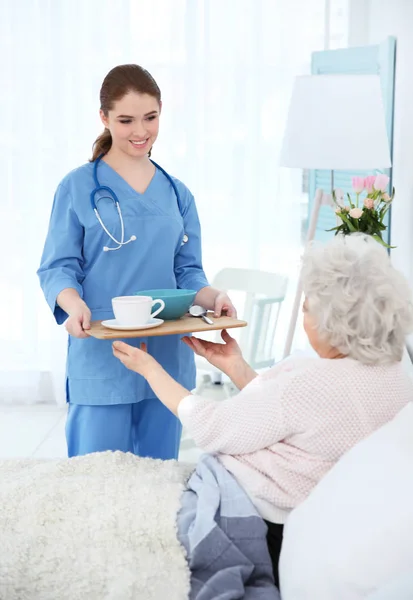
x=154, y=242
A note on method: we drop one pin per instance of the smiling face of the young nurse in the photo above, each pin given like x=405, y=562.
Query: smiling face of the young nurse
x=133, y=123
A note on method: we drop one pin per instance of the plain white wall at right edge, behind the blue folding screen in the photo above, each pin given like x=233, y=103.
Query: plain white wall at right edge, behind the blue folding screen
x=371, y=21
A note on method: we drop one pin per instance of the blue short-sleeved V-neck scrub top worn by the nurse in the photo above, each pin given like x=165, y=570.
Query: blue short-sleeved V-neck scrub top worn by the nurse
x=73, y=257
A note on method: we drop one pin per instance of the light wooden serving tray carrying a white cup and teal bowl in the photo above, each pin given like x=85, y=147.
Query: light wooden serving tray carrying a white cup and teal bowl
x=186, y=324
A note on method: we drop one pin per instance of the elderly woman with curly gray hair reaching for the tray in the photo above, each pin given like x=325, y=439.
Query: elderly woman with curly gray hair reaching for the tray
x=287, y=427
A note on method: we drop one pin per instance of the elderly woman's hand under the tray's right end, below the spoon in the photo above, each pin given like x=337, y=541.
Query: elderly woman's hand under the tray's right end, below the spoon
x=222, y=356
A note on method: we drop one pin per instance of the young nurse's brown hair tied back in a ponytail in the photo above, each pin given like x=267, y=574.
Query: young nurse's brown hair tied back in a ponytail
x=118, y=82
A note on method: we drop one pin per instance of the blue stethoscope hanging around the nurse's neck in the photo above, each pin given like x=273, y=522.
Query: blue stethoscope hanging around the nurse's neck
x=112, y=196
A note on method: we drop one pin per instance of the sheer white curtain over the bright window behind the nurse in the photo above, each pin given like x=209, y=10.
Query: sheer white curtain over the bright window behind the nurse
x=225, y=68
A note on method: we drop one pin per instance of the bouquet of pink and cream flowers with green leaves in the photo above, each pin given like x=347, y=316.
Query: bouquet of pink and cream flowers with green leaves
x=369, y=217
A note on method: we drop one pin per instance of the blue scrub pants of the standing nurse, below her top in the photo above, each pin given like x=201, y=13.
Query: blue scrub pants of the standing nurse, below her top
x=146, y=428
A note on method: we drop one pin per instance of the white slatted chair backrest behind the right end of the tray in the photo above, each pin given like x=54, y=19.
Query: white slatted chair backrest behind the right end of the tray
x=264, y=293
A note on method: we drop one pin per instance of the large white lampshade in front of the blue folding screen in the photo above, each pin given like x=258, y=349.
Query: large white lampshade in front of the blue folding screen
x=336, y=122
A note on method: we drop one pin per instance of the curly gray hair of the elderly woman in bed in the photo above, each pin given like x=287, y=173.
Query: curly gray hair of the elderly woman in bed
x=360, y=303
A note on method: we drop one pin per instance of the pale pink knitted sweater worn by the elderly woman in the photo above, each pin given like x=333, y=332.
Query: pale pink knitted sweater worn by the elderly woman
x=288, y=427
